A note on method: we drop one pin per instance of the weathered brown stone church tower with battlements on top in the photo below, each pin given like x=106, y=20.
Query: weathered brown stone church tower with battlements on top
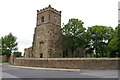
x=47, y=40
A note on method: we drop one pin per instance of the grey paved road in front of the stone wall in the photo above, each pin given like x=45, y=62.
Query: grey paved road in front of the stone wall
x=12, y=72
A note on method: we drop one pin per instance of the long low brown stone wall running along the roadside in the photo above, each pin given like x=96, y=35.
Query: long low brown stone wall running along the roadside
x=71, y=63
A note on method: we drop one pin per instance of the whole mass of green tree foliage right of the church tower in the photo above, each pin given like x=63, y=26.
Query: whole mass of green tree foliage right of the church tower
x=97, y=41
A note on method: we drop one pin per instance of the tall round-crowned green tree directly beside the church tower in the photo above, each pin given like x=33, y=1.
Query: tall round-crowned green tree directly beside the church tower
x=73, y=33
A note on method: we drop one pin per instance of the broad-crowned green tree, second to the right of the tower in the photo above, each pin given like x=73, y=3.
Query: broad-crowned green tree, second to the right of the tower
x=100, y=37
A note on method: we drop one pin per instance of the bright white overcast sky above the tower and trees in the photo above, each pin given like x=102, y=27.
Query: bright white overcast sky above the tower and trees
x=19, y=16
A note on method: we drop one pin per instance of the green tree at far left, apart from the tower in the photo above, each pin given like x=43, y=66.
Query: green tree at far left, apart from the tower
x=9, y=44
